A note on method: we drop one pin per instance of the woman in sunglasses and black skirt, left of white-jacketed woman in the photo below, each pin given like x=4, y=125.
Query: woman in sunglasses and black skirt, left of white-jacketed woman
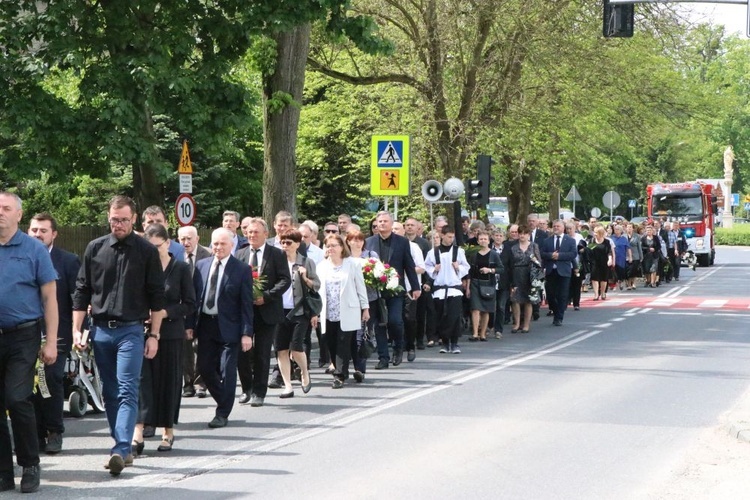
x=290, y=335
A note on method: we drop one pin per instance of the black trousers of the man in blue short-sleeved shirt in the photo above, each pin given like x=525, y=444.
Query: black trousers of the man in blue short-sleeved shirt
x=18, y=355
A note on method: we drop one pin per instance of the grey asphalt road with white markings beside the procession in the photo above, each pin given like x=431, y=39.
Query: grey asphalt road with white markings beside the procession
x=603, y=407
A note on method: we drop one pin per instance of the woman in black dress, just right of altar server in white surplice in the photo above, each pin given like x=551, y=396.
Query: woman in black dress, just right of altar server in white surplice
x=484, y=265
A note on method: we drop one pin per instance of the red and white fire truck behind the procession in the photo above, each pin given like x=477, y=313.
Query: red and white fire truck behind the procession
x=693, y=205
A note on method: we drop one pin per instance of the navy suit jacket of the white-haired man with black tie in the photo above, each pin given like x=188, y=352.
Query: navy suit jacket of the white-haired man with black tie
x=234, y=301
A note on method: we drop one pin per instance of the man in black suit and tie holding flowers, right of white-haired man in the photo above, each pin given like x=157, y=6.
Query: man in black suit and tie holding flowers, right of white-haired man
x=271, y=267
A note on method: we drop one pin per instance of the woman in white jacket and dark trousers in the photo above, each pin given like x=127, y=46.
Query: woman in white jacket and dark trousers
x=345, y=304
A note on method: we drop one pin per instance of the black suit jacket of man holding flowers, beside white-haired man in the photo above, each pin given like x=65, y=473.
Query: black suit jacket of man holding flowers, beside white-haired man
x=277, y=280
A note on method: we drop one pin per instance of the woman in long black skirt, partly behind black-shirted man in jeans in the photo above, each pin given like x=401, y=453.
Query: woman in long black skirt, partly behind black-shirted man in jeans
x=161, y=377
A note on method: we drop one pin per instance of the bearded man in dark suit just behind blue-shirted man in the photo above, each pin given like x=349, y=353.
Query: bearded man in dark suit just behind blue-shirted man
x=49, y=410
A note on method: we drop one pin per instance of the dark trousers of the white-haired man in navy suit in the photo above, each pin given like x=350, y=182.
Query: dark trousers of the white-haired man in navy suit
x=217, y=364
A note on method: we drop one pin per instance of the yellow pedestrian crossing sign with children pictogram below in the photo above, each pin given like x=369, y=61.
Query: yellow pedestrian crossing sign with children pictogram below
x=389, y=165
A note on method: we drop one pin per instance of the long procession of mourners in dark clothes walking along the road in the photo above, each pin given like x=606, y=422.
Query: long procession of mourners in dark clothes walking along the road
x=171, y=319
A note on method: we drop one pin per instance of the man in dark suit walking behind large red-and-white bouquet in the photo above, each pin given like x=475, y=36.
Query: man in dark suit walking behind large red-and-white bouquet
x=394, y=250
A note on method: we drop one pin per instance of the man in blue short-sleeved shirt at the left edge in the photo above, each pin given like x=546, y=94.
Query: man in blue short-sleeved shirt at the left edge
x=29, y=294
